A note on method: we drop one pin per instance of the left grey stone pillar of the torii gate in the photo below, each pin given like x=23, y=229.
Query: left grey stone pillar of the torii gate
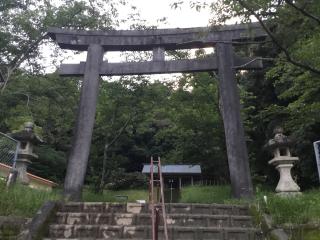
x=78, y=159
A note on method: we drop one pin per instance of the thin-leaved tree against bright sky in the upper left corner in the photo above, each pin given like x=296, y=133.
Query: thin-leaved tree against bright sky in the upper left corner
x=24, y=25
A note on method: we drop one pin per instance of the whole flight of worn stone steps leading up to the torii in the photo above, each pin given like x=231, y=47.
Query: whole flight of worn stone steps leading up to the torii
x=119, y=221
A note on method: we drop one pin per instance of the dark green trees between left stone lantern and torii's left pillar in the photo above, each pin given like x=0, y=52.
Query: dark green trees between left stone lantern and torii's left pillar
x=51, y=104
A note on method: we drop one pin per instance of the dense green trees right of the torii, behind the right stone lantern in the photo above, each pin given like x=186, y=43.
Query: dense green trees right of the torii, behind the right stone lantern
x=288, y=93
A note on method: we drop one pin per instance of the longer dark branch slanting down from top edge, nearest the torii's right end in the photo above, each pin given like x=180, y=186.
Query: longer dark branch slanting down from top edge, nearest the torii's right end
x=275, y=40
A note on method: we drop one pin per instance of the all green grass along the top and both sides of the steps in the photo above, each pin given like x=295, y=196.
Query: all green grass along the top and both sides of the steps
x=22, y=201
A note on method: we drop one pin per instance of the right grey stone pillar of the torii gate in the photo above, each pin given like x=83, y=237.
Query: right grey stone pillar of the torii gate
x=233, y=126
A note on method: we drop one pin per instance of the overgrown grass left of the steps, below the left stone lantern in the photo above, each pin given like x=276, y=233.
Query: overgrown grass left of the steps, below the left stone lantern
x=22, y=201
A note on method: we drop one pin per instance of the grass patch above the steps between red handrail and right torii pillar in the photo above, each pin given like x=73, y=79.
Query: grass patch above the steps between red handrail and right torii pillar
x=205, y=194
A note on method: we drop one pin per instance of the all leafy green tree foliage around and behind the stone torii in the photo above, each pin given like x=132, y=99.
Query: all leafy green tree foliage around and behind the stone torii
x=179, y=120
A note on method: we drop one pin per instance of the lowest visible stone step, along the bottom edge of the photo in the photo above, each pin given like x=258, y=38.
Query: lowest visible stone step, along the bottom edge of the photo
x=144, y=232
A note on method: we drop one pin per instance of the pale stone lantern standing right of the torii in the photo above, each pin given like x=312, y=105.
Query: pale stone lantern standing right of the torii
x=283, y=162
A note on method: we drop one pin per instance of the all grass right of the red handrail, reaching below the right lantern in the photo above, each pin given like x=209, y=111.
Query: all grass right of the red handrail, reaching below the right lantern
x=301, y=209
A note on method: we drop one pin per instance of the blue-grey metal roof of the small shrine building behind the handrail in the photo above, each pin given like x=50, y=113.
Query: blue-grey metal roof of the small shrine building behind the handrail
x=174, y=169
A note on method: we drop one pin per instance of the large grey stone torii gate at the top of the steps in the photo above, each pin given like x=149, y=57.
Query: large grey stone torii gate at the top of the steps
x=96, y=43
